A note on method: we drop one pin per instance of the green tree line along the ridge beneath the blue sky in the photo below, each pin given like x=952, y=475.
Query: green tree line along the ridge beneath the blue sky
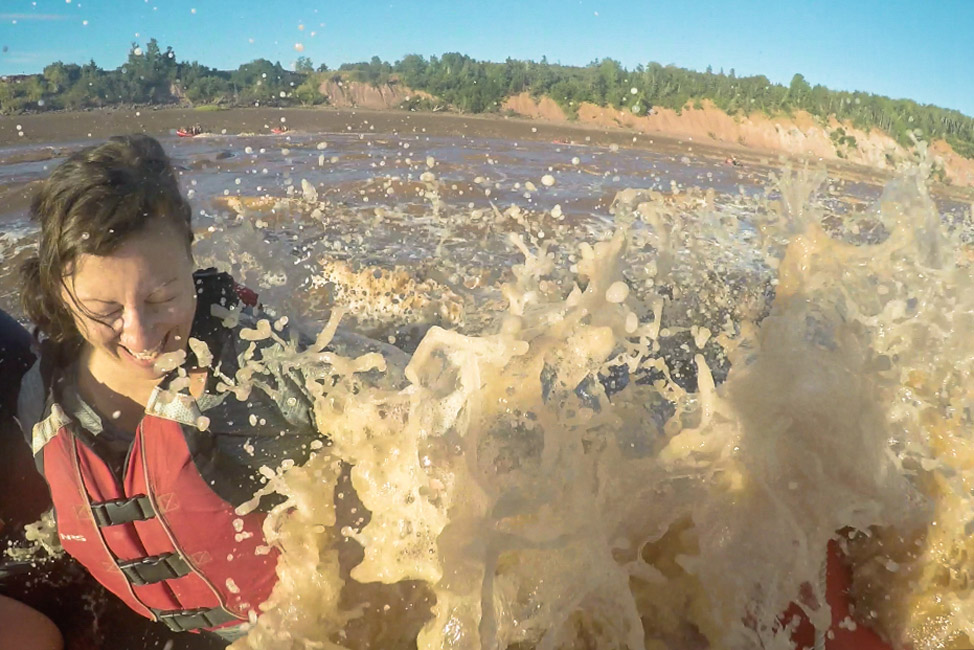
x=152, y=76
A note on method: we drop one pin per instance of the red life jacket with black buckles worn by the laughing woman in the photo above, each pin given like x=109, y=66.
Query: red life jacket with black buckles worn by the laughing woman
x=162, y=540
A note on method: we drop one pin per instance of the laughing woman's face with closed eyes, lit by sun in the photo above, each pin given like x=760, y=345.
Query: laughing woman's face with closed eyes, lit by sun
x=136, y=303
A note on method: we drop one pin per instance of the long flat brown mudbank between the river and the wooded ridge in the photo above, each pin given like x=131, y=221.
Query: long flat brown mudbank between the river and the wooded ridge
x=67, y=130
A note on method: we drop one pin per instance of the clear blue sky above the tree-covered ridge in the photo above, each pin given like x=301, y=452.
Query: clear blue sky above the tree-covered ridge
x=917, y=49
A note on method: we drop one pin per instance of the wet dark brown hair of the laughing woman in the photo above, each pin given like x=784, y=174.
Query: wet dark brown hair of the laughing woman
x=90, y=204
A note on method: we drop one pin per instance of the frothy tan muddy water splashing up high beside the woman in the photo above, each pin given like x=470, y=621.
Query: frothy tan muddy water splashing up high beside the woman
x=639, y=430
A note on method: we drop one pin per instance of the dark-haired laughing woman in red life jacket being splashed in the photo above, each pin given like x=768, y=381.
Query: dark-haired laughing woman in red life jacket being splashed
x=146, y=462
